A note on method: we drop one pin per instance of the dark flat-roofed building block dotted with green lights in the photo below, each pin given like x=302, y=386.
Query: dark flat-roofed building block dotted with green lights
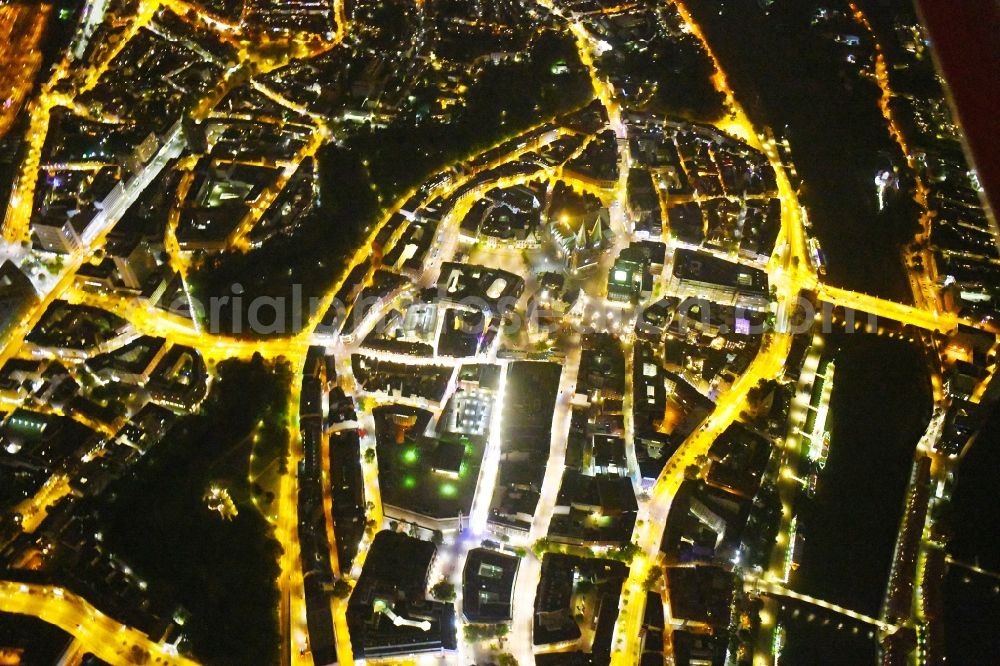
x=434, y=476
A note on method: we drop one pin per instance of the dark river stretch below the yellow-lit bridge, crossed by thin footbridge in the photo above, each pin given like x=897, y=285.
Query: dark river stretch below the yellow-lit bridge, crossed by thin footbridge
x=879, y=409
